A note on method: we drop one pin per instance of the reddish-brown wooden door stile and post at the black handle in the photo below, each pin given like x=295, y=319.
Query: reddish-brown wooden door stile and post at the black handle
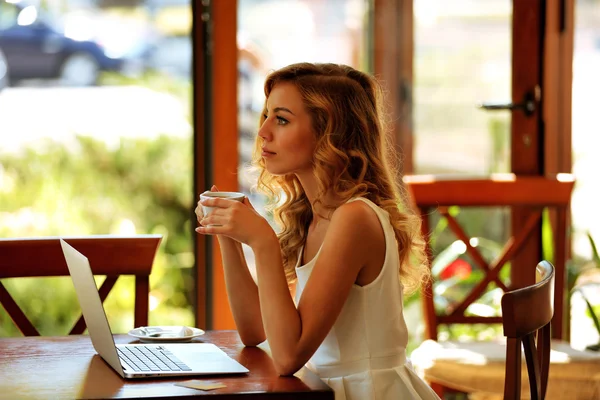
x=541, y=143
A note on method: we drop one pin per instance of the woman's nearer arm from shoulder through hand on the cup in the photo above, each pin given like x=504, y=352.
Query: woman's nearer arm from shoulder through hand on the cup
x=294, y=334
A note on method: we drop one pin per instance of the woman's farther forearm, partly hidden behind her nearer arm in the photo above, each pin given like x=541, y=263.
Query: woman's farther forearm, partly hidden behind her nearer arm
x=242, y=292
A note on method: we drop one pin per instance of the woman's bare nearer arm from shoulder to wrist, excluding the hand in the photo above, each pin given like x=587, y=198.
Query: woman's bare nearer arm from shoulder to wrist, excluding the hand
x=294, y=334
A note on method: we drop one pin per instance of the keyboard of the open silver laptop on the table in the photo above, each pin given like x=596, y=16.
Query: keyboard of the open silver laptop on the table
x=150, y=358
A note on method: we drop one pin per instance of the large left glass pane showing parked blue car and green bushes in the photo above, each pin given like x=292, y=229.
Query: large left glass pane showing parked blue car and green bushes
x=95, y=138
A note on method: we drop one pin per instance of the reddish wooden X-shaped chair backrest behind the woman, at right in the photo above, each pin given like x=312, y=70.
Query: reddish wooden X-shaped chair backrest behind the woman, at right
x=535, y=193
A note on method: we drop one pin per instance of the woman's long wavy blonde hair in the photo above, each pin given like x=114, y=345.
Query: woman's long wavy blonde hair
x=352, y=158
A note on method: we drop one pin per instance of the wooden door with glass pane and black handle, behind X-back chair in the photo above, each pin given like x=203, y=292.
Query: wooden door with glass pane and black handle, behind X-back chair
x=482, y=84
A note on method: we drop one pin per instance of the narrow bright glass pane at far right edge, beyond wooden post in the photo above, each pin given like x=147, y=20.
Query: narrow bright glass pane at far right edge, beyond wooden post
x=586, y=163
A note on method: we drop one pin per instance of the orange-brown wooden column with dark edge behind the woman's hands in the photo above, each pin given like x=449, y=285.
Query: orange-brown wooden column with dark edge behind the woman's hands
x=215, y=141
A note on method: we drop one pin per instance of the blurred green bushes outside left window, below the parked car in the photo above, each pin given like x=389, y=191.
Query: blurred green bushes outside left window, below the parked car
x=83, y=188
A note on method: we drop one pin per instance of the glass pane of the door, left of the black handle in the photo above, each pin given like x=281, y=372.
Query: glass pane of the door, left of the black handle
x=462, y=58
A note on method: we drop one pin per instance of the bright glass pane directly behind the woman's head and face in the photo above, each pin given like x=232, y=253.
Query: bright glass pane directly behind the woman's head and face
x=275, y=33
